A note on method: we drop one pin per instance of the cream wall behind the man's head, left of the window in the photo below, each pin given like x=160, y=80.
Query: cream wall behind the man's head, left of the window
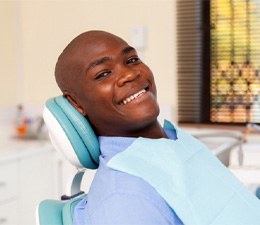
x=33, y=33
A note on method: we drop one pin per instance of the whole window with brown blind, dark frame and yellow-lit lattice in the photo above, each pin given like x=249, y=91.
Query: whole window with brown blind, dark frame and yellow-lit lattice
x=218, y=61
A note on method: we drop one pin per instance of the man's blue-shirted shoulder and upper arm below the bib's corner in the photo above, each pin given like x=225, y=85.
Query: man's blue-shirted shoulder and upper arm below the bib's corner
x=118, y=196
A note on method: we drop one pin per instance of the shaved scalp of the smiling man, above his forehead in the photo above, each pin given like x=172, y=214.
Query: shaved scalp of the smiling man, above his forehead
x=71, y=64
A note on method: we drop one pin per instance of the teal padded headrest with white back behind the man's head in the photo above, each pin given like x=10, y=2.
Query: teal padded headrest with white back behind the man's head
x=71, y=134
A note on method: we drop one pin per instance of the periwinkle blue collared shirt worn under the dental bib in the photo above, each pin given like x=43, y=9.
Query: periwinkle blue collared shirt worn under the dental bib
x=117, y=198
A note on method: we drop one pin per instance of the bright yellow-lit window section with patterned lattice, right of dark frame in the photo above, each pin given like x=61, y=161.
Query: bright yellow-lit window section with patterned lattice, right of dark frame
x=235, y=61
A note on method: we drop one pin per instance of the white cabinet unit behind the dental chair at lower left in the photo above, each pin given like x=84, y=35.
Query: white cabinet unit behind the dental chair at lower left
x=30, y=174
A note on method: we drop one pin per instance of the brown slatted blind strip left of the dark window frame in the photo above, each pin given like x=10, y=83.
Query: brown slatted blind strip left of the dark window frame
x=189, y=54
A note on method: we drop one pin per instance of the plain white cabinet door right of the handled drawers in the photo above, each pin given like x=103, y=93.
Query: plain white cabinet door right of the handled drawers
x=37, y=181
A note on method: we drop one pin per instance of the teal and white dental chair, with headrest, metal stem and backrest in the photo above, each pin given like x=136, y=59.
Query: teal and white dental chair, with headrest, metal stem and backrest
x=72, y=136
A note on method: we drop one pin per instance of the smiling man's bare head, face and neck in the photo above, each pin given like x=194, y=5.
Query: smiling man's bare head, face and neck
x=104, y=79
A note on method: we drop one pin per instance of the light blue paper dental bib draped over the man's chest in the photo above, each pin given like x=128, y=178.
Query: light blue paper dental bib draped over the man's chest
x=199, y=188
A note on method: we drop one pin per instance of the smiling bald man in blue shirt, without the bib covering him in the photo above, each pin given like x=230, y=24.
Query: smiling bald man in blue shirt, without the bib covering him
x=105, y=80
